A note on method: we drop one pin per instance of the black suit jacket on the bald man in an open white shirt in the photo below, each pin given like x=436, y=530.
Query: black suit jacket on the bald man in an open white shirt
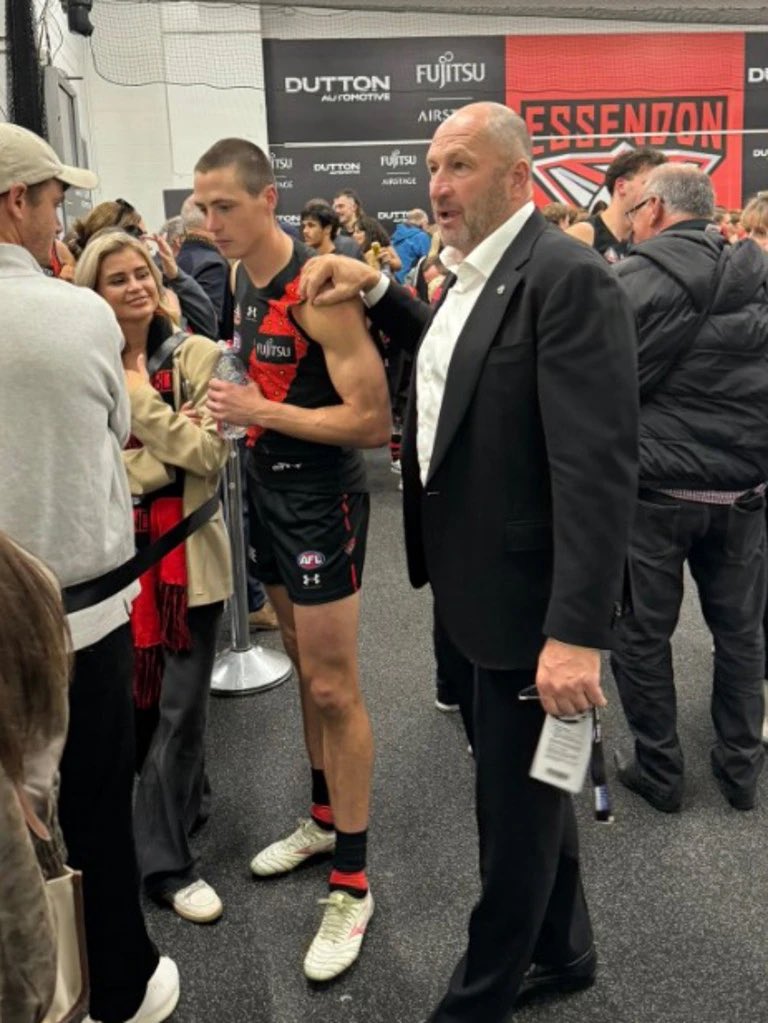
x=522, y=528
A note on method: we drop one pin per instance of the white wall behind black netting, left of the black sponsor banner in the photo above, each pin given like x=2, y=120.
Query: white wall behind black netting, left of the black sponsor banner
x=147, y=140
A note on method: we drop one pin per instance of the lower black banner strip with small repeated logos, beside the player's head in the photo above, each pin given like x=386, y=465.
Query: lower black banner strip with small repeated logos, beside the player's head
x=389, y=180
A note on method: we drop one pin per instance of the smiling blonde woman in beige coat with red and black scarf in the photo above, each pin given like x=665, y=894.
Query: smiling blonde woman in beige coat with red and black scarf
x=174, y=461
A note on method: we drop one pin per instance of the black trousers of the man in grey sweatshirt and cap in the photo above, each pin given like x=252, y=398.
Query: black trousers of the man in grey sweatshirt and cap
x=97, y=817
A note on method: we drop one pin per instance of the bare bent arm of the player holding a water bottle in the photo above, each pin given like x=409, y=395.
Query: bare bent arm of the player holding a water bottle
x=363, y=420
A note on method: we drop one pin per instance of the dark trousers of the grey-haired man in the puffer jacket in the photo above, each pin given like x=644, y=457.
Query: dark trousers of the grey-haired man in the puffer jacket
x=726, y=550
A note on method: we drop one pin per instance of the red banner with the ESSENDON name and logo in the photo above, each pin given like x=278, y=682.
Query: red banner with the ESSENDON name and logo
x=588, y=99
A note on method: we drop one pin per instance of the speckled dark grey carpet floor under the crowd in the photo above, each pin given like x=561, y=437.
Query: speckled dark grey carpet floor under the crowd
x=680, y=903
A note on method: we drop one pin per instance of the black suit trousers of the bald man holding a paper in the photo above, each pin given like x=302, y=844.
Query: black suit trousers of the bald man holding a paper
x=532, y=906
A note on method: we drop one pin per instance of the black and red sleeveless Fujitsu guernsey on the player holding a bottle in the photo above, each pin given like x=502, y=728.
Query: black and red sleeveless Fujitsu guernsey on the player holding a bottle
x=289, y=367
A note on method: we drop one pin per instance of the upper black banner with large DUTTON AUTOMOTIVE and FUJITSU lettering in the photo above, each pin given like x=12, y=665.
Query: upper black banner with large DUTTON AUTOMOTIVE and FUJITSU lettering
x=375, y=90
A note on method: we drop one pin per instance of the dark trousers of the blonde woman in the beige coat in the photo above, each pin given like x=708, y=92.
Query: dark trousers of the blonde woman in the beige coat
x=172, y=786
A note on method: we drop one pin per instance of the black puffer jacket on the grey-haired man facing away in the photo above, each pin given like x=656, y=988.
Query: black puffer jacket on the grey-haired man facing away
x=702, y=309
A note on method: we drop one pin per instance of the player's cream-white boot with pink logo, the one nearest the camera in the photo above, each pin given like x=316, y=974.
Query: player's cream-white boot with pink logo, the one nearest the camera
x=337, y=945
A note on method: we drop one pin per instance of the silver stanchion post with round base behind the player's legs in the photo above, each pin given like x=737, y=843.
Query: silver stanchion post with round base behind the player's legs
x=243, y=670
